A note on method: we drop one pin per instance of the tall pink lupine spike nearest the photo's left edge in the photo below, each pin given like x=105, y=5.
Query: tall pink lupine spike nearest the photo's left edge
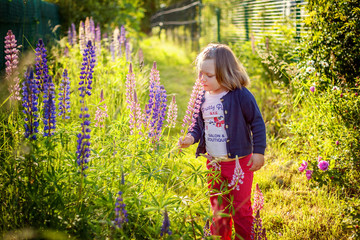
x=11, y=63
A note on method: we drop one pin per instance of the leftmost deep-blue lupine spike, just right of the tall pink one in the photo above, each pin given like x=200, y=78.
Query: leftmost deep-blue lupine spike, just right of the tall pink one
x=30, y=97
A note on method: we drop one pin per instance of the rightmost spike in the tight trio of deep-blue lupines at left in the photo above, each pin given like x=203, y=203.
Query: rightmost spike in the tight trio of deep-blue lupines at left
x=49, y=108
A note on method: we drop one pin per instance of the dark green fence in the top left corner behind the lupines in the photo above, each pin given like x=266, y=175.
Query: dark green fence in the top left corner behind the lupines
x=29, y=20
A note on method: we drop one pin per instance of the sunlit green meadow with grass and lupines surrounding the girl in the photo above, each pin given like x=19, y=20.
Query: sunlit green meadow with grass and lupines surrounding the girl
x=110, y=168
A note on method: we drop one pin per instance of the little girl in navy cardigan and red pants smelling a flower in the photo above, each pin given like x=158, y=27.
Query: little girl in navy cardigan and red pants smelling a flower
x=231, y=135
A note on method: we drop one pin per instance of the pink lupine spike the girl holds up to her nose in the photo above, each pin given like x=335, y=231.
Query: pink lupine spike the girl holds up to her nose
x=193, y=106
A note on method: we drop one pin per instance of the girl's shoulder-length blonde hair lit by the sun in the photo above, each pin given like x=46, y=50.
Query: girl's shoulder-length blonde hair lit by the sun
x=228, y=70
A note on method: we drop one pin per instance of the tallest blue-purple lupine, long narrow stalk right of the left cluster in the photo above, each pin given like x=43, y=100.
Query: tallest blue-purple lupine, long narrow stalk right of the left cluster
x=83, y=148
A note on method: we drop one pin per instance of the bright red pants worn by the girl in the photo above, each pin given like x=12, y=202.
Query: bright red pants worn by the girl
x=236, y=203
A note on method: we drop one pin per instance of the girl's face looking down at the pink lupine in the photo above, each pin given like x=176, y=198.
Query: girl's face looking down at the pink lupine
x=208, y=78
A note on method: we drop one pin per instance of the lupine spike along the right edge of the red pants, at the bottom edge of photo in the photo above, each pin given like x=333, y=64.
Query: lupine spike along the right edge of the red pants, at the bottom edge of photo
x=258, y=232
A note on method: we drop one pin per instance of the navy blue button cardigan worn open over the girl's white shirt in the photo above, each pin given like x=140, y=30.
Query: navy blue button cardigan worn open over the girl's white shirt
x=244, y=125
